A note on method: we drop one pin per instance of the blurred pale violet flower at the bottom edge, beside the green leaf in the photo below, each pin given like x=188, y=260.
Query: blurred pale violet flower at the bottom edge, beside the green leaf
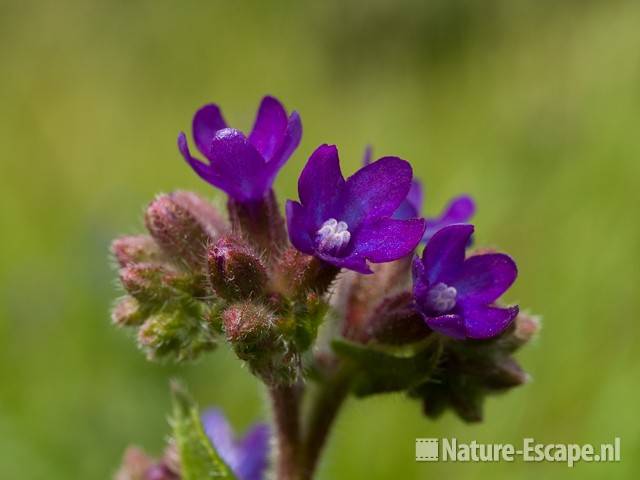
x=247, y=457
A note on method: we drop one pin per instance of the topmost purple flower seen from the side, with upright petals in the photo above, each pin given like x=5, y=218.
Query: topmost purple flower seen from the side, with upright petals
x=244, y=167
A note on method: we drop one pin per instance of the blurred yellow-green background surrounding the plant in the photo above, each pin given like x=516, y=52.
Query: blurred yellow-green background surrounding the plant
x=531, y=106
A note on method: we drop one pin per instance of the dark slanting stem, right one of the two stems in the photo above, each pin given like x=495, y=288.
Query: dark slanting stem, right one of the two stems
x=324, y=411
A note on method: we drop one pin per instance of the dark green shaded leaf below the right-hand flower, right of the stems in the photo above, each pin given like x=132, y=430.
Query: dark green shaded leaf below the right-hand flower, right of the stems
x=379, y=371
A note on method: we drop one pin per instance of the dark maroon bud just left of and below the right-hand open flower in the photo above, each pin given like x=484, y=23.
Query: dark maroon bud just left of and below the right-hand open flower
x=395, y=322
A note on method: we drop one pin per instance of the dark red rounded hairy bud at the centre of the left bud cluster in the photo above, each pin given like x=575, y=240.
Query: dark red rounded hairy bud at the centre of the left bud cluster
x=235, y=271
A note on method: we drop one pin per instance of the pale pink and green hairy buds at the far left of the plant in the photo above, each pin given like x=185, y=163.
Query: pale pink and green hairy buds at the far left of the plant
x=164, y=278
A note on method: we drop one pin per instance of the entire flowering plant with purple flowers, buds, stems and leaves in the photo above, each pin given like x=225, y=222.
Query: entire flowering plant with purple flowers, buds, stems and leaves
x=347, y=260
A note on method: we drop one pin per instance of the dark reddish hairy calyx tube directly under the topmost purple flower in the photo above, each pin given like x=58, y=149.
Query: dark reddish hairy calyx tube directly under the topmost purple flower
x=260, y=223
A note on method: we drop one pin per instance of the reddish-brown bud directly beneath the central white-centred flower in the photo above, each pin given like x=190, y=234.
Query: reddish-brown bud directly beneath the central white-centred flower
x=298, y=274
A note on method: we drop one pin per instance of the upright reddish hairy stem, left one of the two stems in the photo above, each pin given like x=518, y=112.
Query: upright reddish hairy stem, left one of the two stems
x=285, y=400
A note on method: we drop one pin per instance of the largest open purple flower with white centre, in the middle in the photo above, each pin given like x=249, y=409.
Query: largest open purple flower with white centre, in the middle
x=348, y=223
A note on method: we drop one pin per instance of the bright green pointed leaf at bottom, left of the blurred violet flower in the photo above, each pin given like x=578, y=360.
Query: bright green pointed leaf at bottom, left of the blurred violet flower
x=198, y=458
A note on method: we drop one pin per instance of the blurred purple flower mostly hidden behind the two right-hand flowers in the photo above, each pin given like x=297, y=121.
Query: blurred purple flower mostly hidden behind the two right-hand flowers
x=459, y=210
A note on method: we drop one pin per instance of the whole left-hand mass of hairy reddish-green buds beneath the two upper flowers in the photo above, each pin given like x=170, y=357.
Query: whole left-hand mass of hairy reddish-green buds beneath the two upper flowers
x=196, y=279
